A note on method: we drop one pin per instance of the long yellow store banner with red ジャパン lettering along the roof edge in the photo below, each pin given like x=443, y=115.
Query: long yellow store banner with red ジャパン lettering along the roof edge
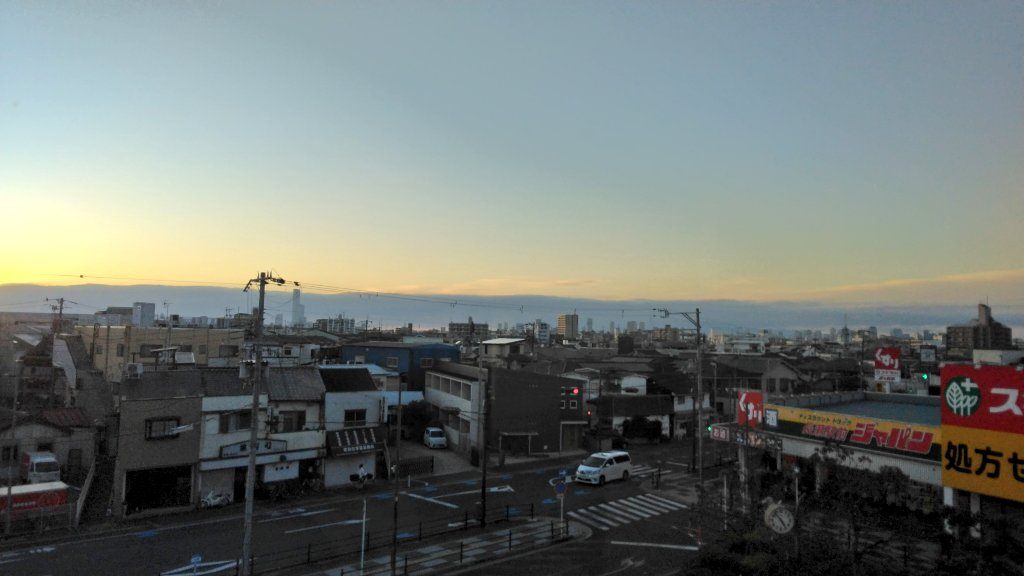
x=891, y=437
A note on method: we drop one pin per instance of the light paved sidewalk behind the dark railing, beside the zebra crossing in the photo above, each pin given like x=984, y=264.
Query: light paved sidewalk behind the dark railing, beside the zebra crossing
x=445, y=558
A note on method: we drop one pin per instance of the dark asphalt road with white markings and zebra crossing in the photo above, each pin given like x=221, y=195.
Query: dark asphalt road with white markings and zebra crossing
x=614, y=512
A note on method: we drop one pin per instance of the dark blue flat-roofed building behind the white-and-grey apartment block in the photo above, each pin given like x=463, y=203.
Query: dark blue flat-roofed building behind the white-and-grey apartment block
x=410, y=360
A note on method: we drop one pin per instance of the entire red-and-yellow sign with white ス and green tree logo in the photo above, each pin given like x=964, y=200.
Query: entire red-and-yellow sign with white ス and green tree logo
x=984, y=430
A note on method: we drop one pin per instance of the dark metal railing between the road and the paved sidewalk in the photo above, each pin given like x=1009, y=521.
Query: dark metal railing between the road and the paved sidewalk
x=346, y=550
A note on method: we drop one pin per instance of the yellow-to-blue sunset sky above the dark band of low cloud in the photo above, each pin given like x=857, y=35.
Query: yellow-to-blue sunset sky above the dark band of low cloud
x=867, y=152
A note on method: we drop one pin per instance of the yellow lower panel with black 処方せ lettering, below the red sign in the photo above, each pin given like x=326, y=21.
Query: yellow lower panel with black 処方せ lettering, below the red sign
x=984, y=462
